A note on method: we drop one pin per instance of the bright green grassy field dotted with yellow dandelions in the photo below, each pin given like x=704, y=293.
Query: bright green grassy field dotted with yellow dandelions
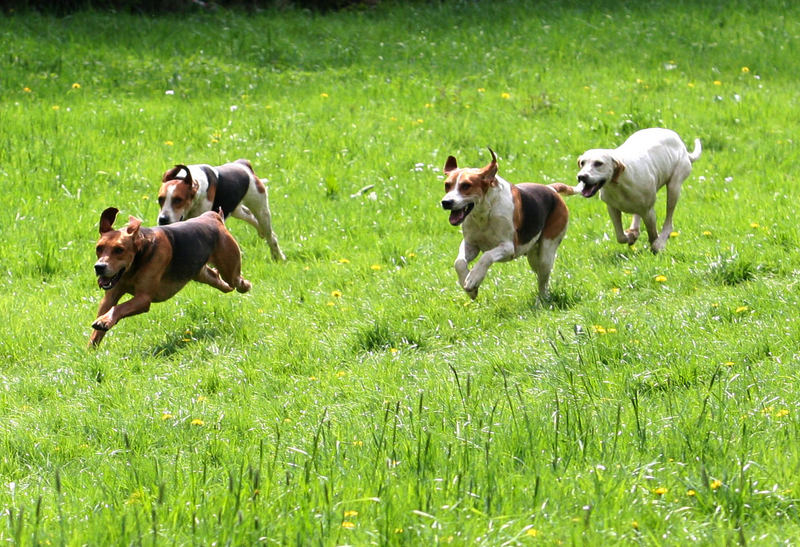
x=356, y=395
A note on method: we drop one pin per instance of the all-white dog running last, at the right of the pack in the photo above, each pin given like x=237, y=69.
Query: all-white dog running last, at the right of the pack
x=628, y=178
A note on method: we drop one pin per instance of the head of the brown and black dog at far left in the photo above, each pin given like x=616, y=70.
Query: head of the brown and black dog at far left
x=115, y=249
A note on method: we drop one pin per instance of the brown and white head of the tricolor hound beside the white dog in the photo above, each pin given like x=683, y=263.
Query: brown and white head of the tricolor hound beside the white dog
x=465, y=187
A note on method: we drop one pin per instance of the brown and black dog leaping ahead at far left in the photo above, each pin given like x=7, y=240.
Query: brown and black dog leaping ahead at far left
x=153, y=264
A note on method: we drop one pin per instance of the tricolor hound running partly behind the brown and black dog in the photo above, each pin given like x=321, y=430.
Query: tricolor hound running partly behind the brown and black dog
x=189, y=191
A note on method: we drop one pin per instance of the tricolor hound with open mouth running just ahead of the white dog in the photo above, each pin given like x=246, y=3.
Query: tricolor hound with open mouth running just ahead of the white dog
x=503, y=220
